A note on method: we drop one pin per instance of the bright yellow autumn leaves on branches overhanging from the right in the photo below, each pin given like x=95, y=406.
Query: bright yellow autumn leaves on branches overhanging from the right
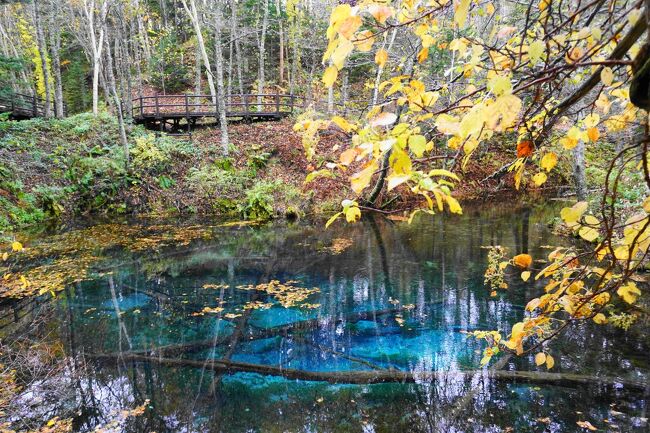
x=556, y=81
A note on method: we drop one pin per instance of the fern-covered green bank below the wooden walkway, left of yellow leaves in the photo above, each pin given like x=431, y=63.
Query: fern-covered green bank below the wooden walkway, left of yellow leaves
x=51, y=169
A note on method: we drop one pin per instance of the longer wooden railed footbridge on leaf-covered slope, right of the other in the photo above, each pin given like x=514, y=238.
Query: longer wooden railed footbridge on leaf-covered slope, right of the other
x=168, y=111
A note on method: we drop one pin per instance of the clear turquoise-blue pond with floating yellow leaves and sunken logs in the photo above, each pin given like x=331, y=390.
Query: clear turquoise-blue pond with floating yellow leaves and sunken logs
x=288, y=327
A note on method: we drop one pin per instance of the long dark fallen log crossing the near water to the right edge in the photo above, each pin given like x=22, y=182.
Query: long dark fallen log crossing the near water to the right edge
x=364, y=377
